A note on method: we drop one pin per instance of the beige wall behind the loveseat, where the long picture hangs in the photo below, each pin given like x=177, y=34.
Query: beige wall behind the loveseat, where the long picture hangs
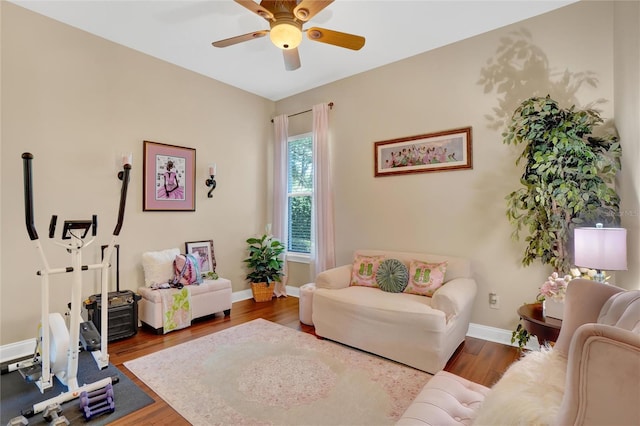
x=460, y=212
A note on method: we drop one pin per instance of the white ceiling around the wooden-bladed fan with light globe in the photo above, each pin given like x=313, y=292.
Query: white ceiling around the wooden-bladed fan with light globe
x=181, y=32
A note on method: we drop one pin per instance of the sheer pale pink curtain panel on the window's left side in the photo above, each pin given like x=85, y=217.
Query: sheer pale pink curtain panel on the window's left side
x=279, y=225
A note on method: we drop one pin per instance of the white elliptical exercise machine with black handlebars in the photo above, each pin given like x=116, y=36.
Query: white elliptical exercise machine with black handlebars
x=59, y=347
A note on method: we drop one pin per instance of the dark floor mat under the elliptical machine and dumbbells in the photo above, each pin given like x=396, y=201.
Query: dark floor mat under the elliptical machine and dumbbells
x=16, y=395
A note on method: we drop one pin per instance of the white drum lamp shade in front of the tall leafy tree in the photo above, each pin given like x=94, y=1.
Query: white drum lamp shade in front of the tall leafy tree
x=604, y=249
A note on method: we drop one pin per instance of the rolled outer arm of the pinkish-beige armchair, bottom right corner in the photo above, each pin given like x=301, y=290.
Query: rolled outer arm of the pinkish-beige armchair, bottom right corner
x=603, y=361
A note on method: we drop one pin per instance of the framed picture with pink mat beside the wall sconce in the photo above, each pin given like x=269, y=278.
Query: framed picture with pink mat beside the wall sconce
x=168, y=178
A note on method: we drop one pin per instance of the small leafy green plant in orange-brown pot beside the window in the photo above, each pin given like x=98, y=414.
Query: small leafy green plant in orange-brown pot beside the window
x=265, y=266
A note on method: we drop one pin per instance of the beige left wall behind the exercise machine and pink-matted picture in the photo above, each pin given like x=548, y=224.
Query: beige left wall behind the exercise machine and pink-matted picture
x=76, y=102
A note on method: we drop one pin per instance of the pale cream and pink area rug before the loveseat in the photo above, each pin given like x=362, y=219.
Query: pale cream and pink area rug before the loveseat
x=262, y=373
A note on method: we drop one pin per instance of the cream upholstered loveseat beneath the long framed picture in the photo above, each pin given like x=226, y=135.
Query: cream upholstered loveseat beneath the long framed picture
x=419, y=331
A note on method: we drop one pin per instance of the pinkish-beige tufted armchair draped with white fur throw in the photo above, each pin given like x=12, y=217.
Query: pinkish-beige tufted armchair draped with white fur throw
x=590, y=377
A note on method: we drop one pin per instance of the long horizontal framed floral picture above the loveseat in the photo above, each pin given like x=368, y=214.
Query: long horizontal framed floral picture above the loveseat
x=431, y=152
